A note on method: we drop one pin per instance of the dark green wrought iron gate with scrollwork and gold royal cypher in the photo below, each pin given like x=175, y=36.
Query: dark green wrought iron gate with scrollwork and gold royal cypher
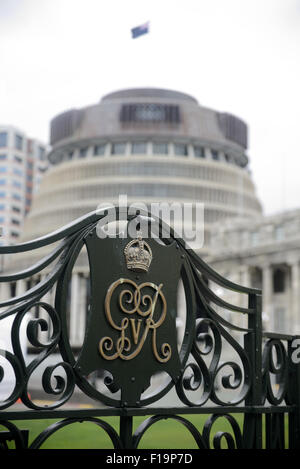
x=215, y=366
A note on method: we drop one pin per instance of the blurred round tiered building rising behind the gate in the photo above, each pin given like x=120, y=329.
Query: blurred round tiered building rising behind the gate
x=150, y=145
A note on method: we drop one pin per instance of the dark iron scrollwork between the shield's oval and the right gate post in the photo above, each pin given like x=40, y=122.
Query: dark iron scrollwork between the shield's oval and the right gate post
x=209, y=338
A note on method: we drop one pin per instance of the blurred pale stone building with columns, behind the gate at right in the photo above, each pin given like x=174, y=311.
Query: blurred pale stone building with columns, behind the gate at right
x=264, y=254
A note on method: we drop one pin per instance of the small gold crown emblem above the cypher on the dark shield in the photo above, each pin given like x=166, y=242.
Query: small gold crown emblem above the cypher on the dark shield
x=138, y=255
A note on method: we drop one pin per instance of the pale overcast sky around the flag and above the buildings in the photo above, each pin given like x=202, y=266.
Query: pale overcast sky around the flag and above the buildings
x=238, y=56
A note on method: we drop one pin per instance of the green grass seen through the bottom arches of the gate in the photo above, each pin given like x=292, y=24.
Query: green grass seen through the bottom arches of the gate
x=165, y=434
